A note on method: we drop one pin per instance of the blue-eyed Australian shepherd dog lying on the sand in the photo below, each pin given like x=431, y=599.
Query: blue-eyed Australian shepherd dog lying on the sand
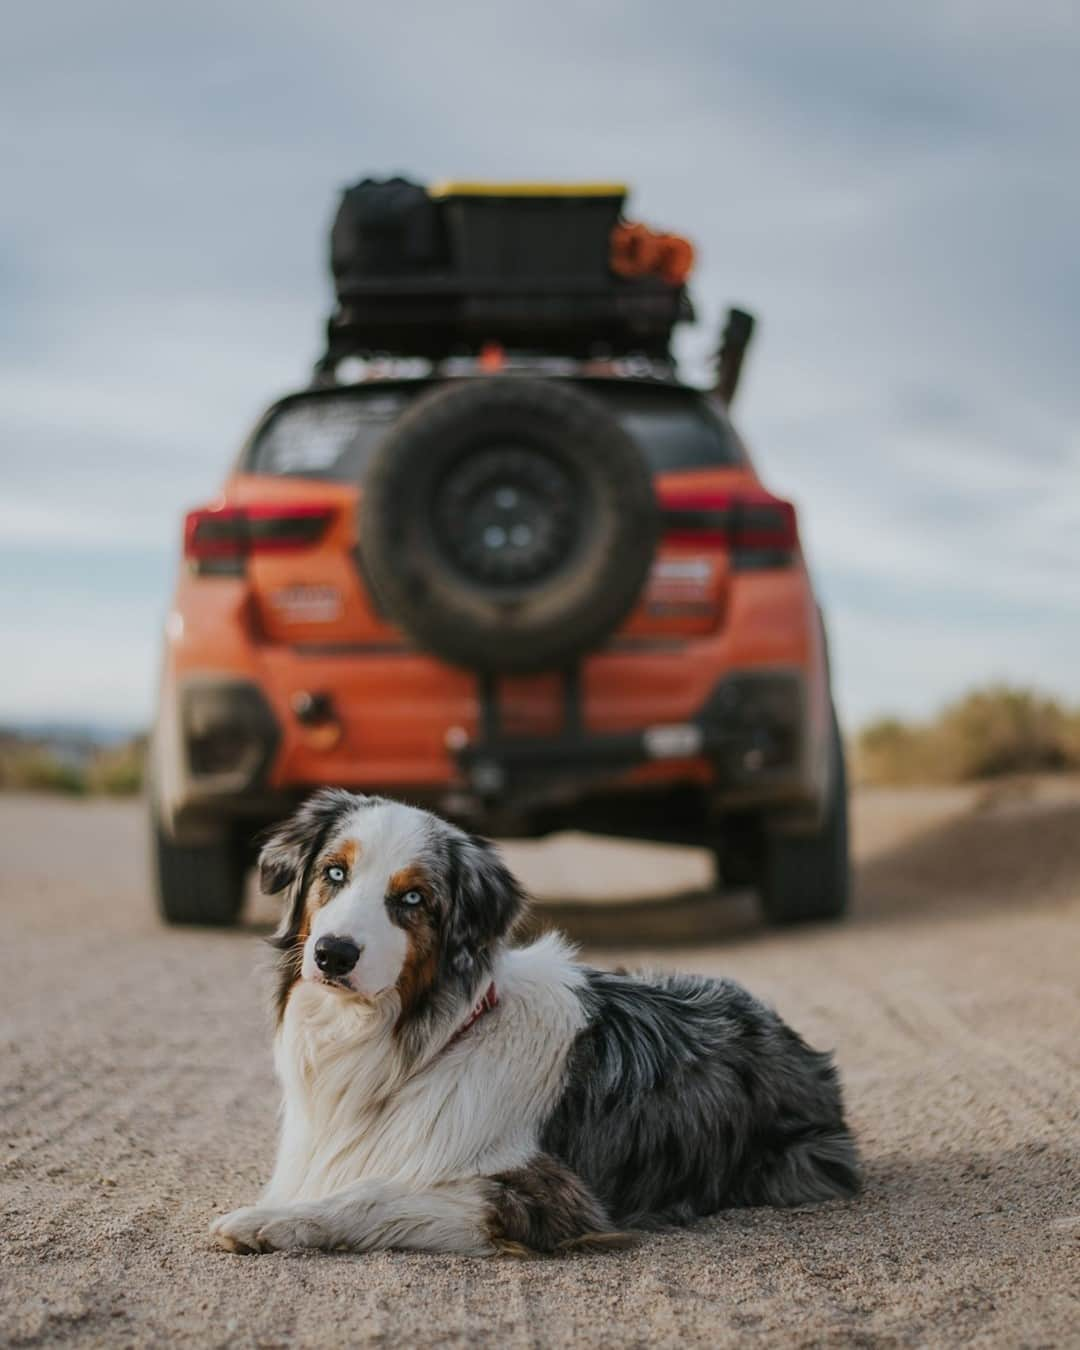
x=445, y=1091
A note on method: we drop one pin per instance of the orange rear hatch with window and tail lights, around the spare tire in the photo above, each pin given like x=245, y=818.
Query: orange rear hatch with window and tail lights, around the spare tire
x=291, y=516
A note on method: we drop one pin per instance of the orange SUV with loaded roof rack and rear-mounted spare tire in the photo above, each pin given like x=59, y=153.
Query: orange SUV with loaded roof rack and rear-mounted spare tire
x=514, y=570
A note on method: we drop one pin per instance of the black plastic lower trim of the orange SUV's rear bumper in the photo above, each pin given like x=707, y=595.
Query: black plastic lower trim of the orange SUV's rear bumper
x=751, y=745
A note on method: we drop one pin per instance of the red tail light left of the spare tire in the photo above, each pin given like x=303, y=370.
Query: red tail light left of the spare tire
x=221, y=538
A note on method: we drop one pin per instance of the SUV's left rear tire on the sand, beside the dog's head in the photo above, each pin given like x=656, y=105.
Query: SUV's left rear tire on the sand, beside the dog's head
x=198, y=884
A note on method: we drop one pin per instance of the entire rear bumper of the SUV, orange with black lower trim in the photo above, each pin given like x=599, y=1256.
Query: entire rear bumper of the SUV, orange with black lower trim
x=739, y=718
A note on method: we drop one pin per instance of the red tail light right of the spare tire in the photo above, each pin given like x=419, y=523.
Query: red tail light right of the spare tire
x=755, y=527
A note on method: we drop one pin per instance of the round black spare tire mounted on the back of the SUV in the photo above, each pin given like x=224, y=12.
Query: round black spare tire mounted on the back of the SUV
x=508, y=524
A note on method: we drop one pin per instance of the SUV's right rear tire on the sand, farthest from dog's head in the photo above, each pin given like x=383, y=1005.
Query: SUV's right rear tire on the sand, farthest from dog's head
x=808, y=877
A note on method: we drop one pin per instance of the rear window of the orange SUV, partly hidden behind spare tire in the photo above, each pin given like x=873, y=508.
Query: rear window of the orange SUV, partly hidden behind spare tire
x=335, y=435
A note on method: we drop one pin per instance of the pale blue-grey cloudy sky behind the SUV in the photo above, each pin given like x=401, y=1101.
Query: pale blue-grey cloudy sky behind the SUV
x=894, y=194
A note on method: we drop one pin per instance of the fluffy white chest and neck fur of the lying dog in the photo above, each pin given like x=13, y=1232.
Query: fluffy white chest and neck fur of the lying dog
x=354, y=1112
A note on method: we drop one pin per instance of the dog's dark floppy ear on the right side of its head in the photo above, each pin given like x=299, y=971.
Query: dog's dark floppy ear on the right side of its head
x=485, y=901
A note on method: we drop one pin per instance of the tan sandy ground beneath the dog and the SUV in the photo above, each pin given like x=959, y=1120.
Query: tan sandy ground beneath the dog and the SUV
x=137, y=1104
